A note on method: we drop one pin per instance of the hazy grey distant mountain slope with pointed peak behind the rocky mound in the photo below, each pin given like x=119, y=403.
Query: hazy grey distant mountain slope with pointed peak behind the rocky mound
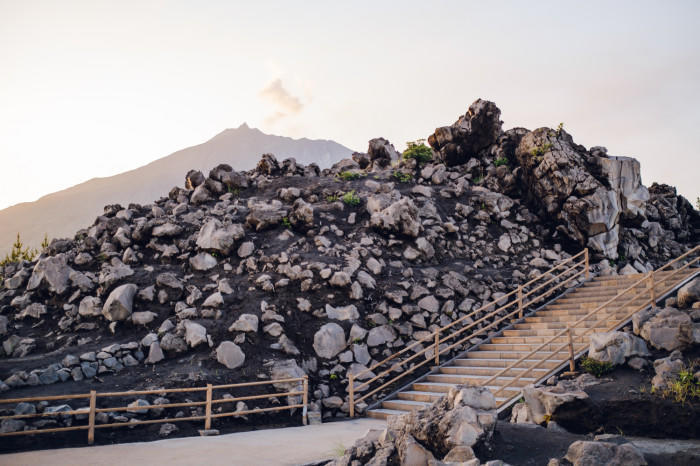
x=61, y=213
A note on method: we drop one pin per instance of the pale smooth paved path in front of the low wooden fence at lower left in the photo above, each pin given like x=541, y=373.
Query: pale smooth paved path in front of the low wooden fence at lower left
x=288, y=446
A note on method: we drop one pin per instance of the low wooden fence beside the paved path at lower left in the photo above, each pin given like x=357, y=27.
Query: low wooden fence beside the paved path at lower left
x=208, y=403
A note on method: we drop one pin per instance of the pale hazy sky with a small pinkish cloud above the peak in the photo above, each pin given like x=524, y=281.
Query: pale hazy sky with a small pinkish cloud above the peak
x=95, y=88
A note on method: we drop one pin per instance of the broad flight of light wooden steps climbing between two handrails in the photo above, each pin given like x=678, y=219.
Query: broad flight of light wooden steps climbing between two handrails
x=509, y=356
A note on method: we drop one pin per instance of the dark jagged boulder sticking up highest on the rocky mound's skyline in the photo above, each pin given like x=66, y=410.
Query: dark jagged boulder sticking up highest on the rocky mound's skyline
x=473, y=132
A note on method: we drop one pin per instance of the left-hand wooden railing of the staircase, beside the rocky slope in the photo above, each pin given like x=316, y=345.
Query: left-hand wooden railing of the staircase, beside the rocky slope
x=437, y=342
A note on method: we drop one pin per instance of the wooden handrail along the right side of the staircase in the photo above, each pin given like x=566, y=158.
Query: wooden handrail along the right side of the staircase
x=595, y=311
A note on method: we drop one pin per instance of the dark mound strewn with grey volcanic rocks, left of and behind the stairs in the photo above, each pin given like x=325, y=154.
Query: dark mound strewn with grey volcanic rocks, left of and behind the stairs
x=286, y=269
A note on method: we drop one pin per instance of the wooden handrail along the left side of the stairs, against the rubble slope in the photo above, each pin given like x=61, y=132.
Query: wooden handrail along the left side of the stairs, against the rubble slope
x=435, y=337
